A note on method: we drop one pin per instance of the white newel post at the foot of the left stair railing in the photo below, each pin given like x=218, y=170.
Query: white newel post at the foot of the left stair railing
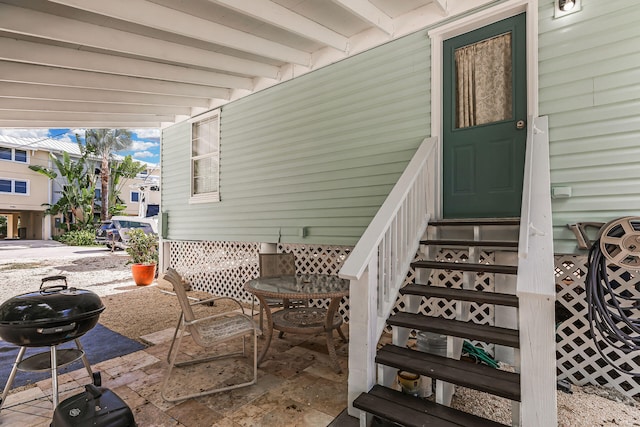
x=362, y=345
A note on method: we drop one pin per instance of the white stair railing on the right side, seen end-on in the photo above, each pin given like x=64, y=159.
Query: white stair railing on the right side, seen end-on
x=536, y=285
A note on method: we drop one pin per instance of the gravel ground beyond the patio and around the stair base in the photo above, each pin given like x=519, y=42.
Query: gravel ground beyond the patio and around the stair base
x=135, y=311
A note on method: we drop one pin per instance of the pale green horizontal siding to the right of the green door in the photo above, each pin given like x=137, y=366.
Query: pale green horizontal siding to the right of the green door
x=590, y=89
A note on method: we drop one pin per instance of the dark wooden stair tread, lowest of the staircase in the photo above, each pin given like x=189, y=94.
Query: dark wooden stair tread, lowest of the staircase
x=412, y=411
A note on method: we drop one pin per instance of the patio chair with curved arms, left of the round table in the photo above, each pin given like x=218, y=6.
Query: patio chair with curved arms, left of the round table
x=208, y=332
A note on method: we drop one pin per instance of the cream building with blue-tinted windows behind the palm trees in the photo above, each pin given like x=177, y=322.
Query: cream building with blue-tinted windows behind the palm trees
x=24, y=192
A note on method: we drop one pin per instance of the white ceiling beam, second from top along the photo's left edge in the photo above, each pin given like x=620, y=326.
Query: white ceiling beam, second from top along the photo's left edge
x=55, y=56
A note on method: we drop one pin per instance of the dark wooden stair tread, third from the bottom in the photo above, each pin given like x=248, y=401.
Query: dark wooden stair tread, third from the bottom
x=485, y=333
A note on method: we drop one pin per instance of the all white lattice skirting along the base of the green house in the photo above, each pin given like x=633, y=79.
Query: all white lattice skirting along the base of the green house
x=222, y=268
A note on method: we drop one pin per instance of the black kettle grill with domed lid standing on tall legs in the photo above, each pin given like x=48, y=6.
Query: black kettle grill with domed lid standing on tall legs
x=51, y=316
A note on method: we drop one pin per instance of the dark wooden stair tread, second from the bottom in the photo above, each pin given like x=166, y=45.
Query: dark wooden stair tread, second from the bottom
x=478, y=377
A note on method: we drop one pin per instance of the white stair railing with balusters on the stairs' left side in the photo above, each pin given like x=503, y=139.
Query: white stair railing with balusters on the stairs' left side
x=378, y=264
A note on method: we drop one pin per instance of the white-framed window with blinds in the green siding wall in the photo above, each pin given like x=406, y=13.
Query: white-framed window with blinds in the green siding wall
x=205, y=159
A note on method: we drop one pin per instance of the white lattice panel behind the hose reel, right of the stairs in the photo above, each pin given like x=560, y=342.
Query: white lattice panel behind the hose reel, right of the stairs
x=578, y=359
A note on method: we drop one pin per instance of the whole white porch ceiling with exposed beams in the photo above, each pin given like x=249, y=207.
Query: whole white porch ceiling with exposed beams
x=150, y=63
